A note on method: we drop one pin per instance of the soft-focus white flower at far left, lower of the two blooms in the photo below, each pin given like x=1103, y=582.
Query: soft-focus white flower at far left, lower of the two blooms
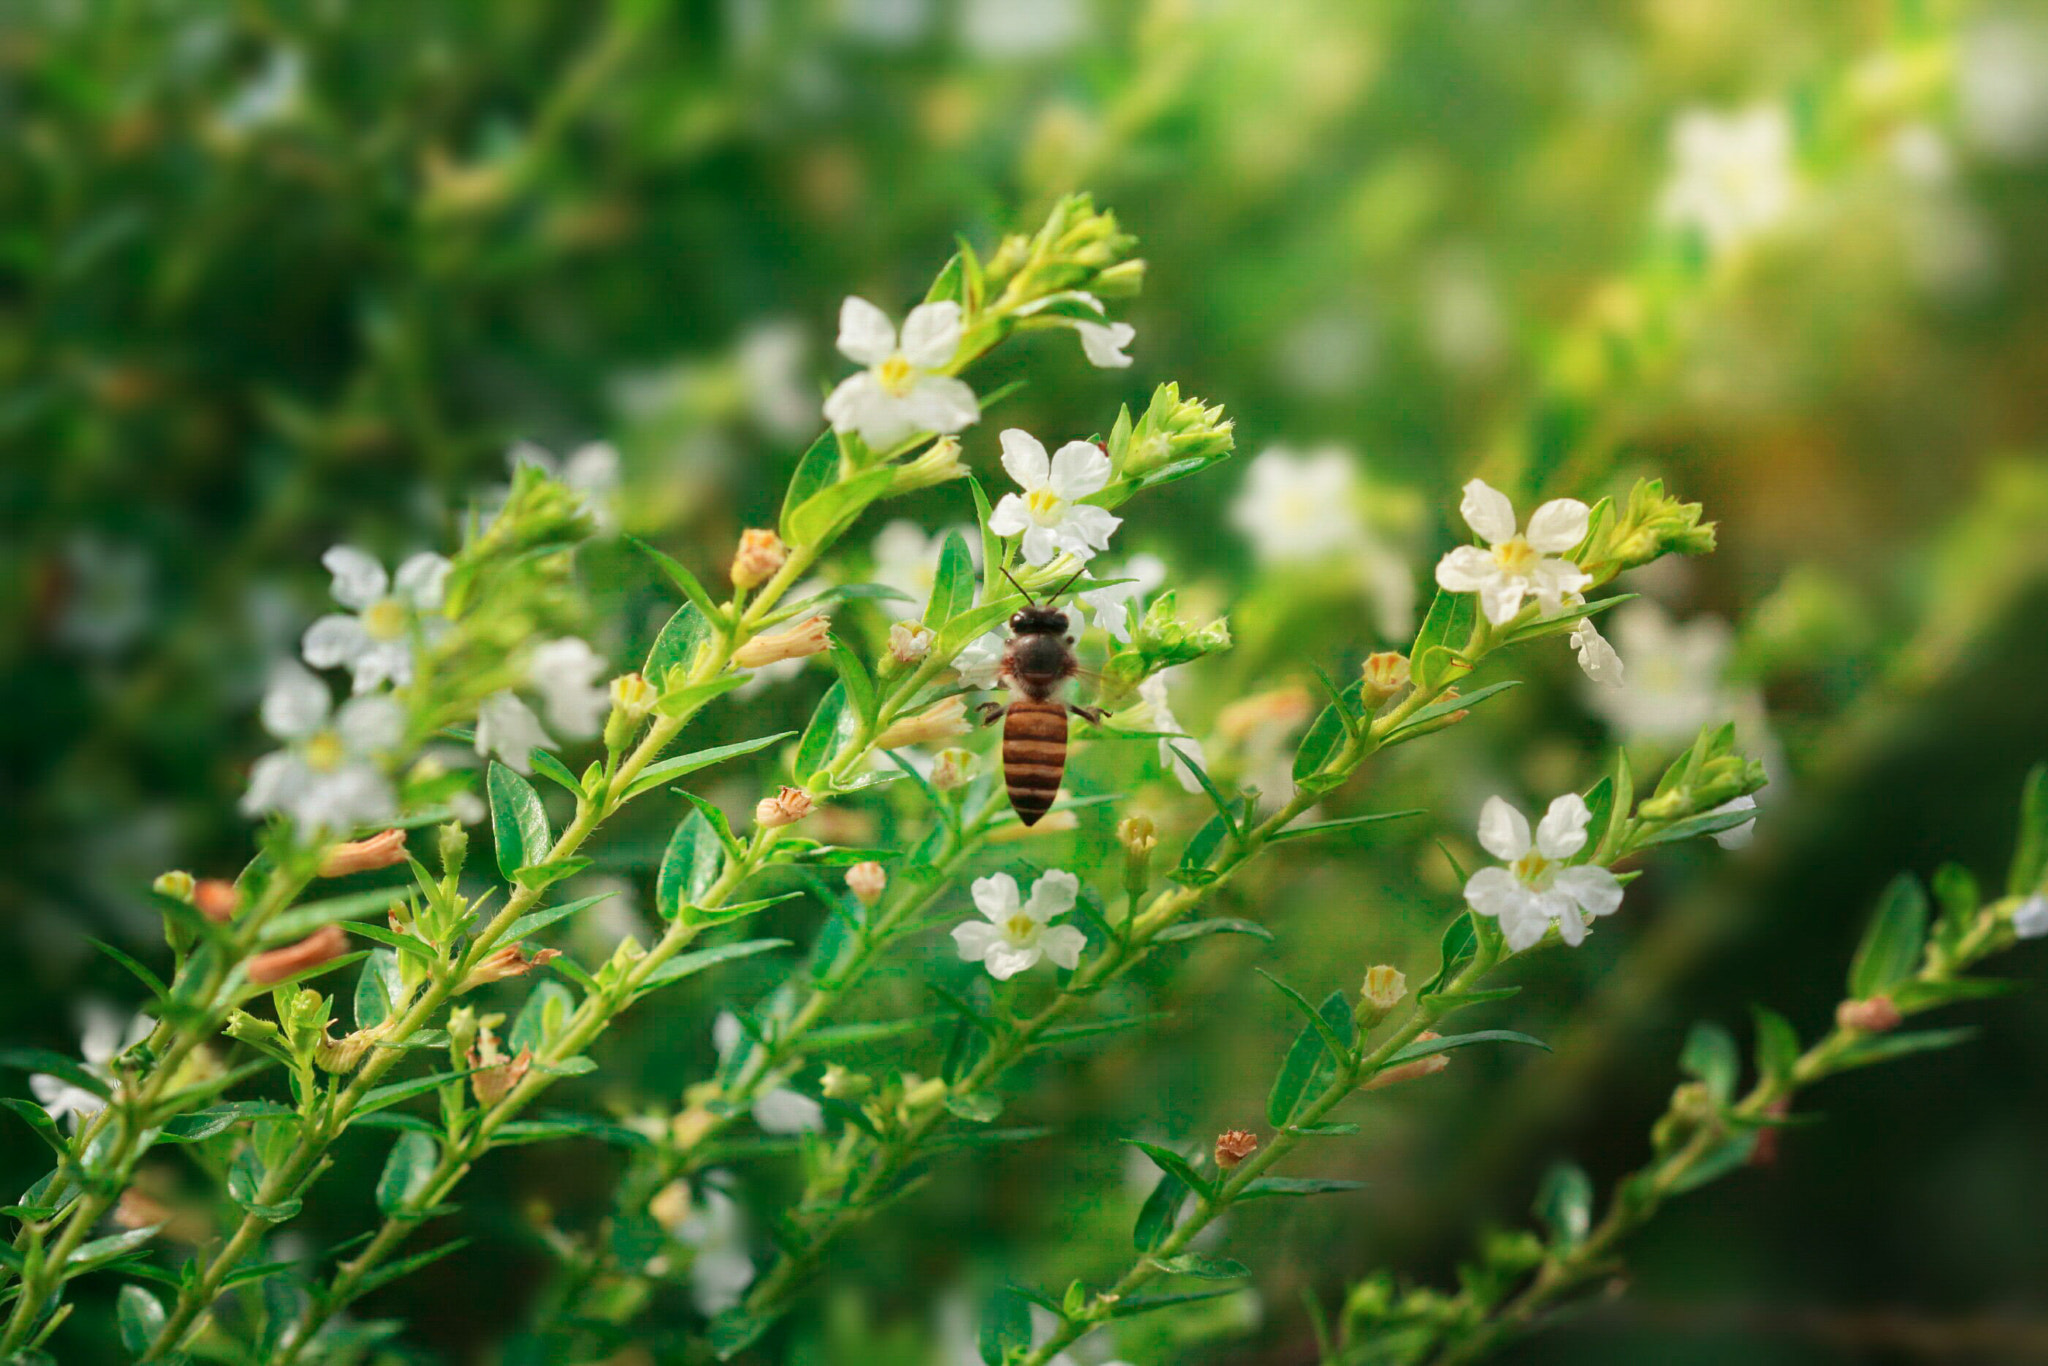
x=329, y=777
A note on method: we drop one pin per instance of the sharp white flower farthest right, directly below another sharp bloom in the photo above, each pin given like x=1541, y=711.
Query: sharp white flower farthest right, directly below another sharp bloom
x=1537, y=888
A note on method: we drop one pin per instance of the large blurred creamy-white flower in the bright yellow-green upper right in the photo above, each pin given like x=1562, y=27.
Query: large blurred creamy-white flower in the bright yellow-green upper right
x=1734, y=175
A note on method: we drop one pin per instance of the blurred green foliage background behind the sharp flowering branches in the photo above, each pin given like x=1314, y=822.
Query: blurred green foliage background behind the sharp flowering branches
x=278, y=275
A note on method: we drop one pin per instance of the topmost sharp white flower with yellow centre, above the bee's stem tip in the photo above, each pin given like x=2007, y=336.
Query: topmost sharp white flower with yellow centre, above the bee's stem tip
x=904, y=390
